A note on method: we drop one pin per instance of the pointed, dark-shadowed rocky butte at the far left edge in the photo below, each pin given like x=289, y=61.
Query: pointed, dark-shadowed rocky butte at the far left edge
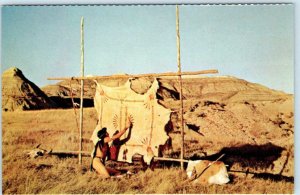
x=18, y=93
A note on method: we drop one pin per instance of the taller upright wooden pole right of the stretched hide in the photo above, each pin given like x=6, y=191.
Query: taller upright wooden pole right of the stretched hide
x=180, y=83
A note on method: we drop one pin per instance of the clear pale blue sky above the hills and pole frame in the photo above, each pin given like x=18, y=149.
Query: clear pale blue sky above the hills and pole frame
x=253, y=42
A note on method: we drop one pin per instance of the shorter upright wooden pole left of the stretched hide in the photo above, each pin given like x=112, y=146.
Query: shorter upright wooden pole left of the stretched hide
x=81, y=92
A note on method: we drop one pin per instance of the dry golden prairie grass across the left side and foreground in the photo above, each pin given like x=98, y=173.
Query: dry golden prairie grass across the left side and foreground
x=55, y=129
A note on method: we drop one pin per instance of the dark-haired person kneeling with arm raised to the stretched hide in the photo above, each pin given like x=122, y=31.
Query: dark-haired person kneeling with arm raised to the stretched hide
x=102, y=148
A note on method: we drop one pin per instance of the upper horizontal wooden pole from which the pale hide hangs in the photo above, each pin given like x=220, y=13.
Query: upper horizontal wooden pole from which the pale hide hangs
x=137, y=75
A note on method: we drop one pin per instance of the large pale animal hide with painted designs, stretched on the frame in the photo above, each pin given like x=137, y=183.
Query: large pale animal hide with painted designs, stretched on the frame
x=115, y=104
